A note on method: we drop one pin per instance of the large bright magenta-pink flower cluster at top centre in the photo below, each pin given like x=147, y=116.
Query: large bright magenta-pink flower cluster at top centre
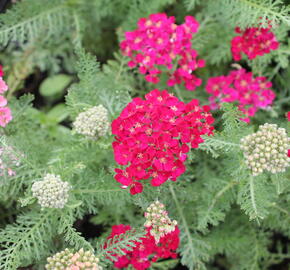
x=159, y=43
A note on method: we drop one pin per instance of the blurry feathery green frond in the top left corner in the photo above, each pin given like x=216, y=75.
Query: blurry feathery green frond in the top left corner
x=32, y=19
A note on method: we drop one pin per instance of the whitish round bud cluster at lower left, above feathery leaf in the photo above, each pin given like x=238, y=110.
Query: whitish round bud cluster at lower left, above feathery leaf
x=51, y=192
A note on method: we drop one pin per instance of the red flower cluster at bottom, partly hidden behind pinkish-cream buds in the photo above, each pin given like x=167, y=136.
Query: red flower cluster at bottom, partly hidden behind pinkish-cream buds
x=147, y=250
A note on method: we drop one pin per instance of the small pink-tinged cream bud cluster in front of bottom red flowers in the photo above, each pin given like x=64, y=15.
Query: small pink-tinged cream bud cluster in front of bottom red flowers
x=157, y=219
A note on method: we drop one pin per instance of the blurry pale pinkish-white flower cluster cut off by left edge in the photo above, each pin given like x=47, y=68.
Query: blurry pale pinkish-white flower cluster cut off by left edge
x=9, y=159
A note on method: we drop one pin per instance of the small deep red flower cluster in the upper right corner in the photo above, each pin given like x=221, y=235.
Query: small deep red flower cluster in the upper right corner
x=253, y=42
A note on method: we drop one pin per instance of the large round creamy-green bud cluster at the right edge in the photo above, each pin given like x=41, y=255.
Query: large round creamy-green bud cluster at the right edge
x=267, y=149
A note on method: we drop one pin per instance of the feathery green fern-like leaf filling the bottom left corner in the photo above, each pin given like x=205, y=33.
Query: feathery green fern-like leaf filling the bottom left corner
x=28, y=240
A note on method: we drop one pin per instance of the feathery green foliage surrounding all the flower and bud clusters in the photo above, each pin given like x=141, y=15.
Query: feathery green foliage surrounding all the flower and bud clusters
x=61, y=57
